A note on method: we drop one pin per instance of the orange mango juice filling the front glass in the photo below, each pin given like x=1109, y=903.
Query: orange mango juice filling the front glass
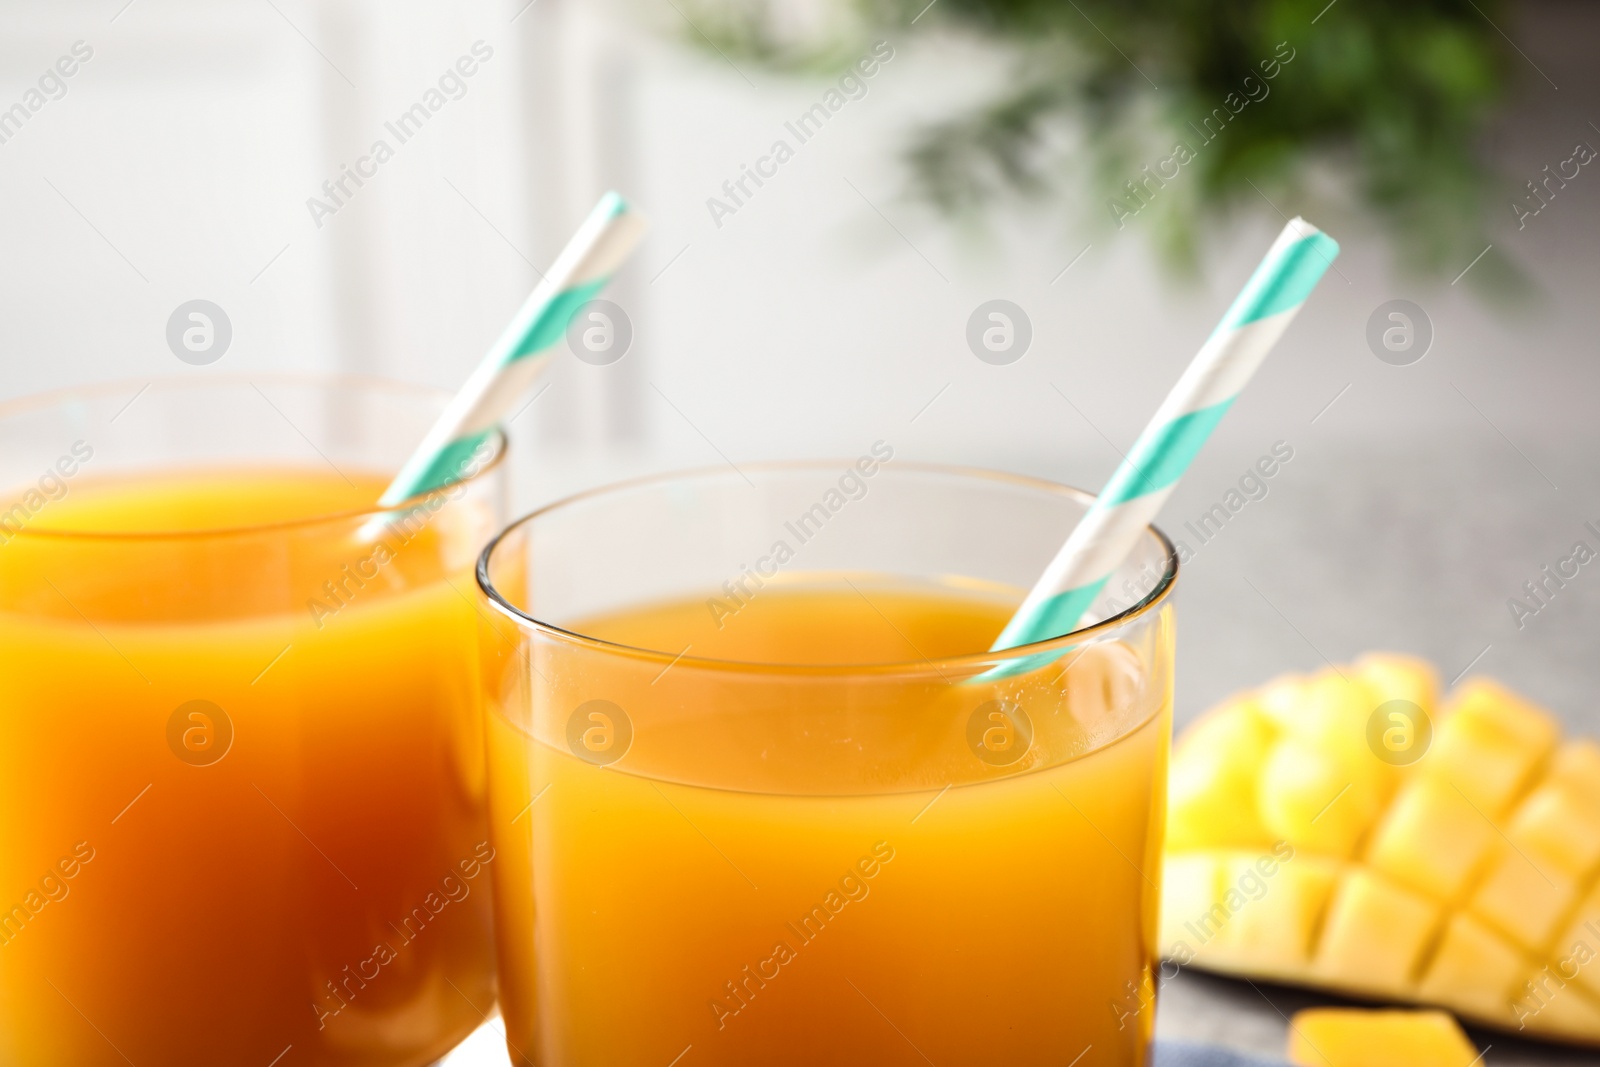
x=806, y=868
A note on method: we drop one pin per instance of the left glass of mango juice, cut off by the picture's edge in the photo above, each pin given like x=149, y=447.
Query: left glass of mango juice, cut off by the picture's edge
x=242, y=780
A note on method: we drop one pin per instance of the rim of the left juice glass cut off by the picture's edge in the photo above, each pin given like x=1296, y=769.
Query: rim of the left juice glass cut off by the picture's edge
x=62, y=398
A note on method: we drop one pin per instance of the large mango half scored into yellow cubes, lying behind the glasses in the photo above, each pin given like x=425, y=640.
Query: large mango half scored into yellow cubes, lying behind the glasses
x=1354, y=831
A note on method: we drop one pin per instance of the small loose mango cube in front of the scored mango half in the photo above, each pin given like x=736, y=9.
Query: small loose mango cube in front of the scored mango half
x=1351, y=1037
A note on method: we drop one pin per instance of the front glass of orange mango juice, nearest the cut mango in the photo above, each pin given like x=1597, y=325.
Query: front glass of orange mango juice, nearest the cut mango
x=759, y=796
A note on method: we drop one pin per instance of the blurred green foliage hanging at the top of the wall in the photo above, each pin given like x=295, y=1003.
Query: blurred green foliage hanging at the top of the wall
x=1383, y=106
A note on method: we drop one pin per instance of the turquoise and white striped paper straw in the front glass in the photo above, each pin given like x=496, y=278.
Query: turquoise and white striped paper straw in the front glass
x=1143, y=482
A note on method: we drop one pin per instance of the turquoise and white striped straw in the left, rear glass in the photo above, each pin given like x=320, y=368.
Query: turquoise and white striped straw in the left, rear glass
x=516, y=359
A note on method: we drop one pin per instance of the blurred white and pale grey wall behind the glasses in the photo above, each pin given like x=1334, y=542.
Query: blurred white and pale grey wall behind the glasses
x=830, y=311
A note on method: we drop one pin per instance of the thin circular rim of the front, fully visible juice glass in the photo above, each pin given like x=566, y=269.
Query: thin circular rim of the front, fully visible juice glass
x=1159, y=594
